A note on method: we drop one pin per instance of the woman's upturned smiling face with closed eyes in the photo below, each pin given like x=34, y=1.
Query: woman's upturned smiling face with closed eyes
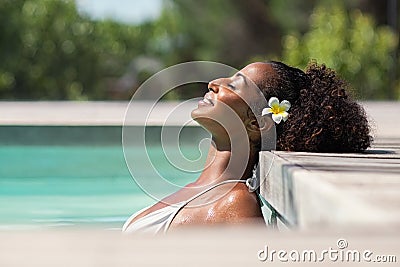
x=230, y=96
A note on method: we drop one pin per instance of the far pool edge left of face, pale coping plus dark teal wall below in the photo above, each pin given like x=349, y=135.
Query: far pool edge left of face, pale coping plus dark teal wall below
x=92, y=123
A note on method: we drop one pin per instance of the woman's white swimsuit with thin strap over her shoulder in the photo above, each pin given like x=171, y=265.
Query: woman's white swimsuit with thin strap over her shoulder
x=159, y=220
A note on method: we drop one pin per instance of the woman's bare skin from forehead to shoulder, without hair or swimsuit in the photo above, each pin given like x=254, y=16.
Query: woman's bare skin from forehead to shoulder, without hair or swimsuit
x=224, y=113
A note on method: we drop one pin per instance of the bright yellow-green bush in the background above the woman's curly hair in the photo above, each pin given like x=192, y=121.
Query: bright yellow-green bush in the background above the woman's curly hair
x=350, y=43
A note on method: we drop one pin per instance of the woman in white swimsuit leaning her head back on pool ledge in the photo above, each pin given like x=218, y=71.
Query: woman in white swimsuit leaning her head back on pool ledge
x=315, y=115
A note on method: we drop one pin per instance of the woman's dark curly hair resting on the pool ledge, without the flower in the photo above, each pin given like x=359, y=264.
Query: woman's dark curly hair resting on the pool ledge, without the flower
x=322, y=118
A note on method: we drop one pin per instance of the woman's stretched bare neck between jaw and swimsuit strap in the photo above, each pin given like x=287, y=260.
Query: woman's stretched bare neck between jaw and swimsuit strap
x=224, y=163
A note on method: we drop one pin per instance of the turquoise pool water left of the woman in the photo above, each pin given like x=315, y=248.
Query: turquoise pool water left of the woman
x=63, y=186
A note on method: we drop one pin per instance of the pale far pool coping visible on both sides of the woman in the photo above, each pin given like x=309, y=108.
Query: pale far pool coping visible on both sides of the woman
x=382, y=115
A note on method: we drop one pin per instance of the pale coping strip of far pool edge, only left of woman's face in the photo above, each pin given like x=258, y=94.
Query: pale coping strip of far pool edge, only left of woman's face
x=99, y=113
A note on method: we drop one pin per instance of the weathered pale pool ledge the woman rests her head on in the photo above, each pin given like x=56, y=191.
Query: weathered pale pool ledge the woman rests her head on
x=328, y=190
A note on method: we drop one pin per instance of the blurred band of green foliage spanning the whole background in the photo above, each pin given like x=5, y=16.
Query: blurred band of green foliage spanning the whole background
x=49, y=51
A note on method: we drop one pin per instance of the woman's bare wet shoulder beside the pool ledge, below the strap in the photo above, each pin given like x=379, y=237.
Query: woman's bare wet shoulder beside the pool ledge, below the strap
x=238, y=204
